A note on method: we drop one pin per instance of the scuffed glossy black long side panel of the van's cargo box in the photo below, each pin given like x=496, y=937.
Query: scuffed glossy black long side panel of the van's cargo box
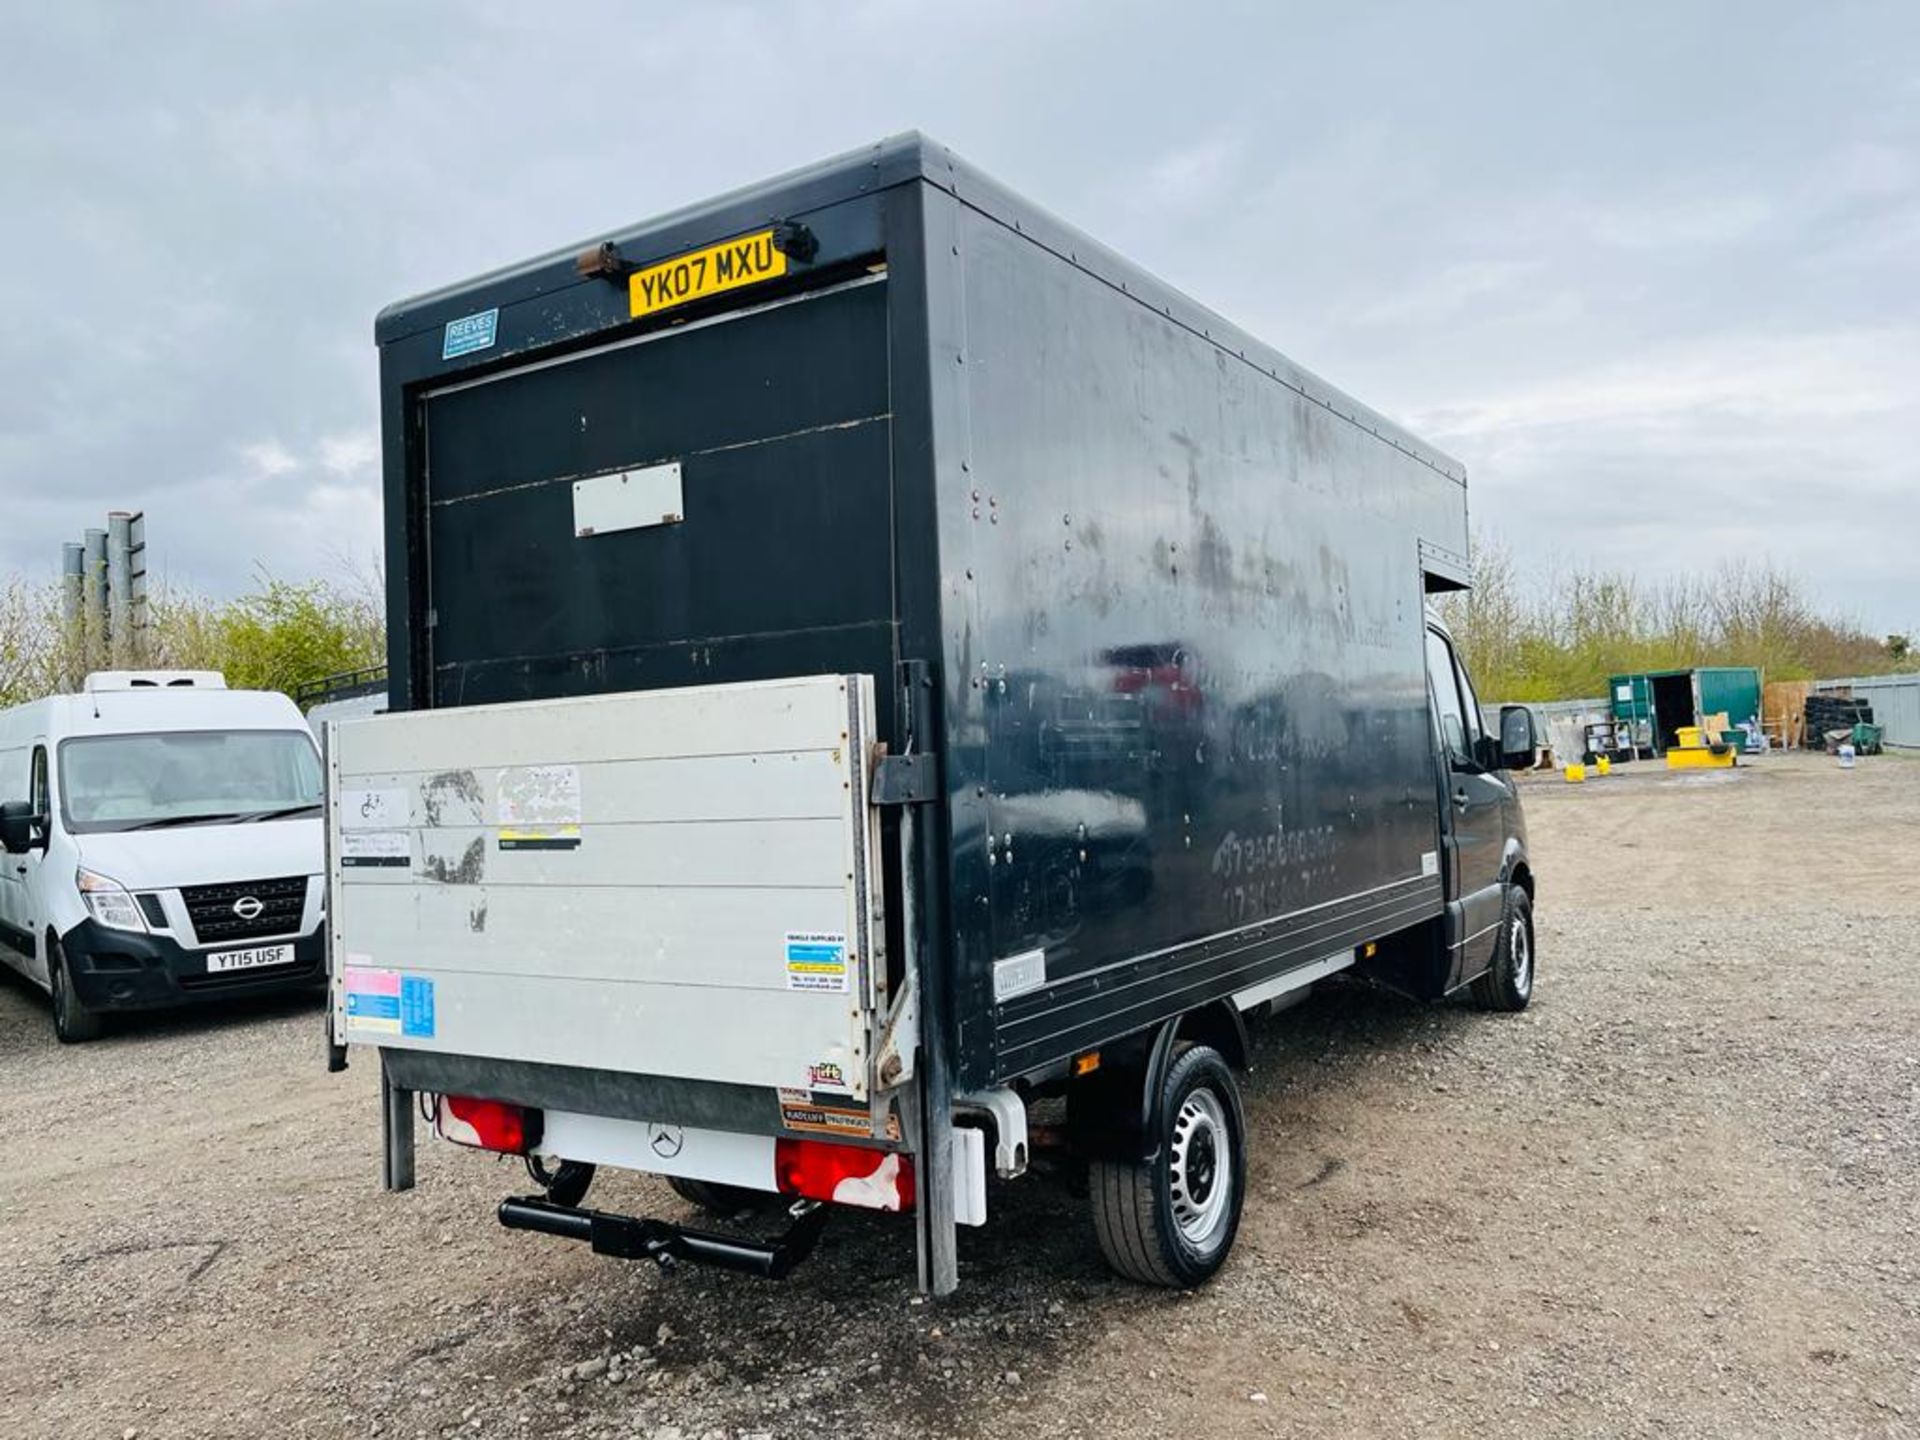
x=1189, y=740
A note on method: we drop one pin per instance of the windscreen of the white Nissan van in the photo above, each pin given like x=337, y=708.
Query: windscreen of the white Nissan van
x=185, y=779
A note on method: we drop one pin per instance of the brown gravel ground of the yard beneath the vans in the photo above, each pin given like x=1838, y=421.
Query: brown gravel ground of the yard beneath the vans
x=1677, y=1197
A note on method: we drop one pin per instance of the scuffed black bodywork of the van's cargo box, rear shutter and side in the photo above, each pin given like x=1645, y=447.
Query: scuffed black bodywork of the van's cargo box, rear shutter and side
x=1168, y=585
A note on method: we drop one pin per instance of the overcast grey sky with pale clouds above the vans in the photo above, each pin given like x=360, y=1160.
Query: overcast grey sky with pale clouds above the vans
x=1648, y=270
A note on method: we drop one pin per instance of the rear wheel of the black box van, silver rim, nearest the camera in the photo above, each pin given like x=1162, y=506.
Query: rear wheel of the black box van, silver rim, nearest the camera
x=1172, y=1220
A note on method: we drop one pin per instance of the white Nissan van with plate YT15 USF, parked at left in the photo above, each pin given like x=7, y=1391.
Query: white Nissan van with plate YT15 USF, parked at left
x=162, y=846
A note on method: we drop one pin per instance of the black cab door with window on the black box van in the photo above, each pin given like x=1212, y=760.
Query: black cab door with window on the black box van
x=1474, y=815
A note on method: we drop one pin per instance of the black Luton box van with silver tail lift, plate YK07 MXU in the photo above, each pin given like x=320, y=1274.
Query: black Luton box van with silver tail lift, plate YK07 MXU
x=873, y=548
